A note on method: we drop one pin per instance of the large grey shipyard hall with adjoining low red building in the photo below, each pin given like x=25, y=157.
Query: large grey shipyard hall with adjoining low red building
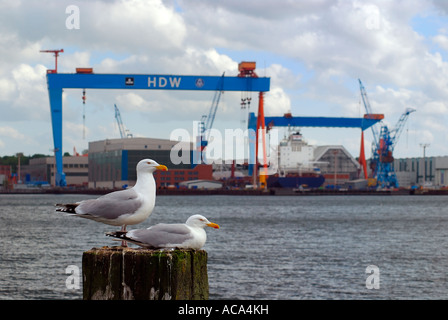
x=112, y=162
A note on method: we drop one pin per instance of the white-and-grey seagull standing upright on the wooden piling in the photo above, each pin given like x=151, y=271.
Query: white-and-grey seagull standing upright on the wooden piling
x=124, y=207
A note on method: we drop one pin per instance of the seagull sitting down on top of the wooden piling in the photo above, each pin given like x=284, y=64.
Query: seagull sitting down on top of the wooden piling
x=189, y=235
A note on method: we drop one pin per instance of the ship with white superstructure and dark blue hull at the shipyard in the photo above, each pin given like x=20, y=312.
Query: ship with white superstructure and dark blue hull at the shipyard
x=295, y=167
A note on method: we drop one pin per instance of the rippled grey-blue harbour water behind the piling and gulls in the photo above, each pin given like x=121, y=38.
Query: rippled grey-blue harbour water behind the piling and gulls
x=306, y=247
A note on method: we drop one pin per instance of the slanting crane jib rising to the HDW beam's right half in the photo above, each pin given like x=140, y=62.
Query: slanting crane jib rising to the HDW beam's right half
x=206, y=122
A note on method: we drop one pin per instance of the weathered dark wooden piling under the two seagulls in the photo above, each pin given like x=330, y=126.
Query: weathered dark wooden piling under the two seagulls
x=119, y=273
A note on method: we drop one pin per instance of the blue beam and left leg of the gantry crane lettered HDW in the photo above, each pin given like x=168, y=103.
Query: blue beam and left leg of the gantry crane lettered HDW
x=85, y=78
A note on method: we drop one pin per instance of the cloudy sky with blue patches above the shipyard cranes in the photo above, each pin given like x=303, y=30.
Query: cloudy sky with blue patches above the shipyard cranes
x=313, y=51
